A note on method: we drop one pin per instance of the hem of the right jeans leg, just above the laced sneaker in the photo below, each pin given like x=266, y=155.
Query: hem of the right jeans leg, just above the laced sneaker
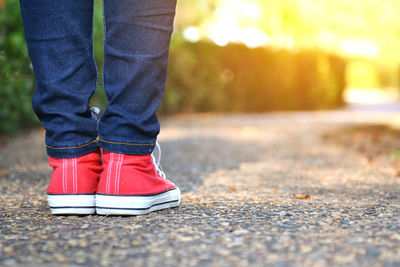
x=130, y=148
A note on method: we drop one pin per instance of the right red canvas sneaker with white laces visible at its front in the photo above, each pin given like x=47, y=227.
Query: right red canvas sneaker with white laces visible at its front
x=134, y=185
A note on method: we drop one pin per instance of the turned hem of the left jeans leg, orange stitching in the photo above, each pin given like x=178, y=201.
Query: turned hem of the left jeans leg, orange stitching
x=73, y=151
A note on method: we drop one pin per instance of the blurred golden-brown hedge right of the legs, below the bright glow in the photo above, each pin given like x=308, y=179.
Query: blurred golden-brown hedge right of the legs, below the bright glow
x=206, y=77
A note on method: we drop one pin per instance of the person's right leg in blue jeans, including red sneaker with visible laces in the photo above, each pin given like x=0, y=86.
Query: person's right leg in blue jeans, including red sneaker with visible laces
x=136, y=50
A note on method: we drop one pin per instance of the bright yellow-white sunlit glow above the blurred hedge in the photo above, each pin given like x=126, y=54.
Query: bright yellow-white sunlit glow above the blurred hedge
x=365, y=32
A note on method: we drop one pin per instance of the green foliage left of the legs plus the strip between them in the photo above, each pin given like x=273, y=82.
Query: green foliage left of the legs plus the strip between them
x=16, y=75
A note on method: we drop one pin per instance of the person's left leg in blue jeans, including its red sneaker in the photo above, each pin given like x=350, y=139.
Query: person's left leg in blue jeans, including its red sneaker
x=59, y=38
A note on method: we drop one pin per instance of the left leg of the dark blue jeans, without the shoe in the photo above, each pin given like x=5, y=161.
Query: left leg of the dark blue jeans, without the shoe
x=59, y=38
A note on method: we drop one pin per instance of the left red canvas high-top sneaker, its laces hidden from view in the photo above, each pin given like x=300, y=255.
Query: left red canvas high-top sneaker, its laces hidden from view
x=73, y=184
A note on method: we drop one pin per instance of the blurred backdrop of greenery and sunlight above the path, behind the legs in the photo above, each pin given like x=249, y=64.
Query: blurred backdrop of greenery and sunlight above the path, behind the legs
x=244, y=56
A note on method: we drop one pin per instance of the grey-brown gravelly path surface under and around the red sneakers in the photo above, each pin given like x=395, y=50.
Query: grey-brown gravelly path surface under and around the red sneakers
x=257, y=190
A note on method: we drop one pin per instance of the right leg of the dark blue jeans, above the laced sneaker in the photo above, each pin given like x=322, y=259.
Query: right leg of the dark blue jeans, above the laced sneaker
x=136, y=48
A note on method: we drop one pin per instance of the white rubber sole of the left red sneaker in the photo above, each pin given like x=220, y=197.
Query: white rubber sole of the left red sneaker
x=72, y=204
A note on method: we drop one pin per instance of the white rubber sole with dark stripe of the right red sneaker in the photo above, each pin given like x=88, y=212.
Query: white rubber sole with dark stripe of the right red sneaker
x=136, y=205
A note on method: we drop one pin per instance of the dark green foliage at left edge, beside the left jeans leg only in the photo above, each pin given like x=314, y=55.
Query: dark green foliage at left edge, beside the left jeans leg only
x=16, y=75
